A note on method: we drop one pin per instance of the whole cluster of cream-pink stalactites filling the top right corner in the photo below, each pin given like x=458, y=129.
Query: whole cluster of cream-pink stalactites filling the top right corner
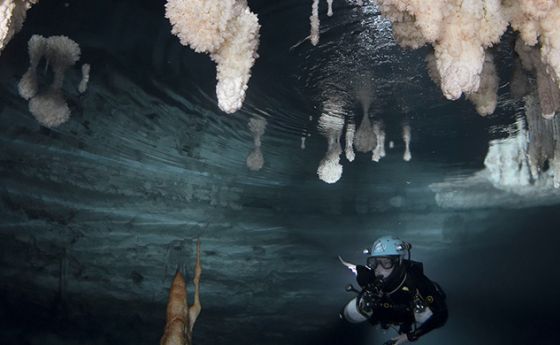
x=460, y=33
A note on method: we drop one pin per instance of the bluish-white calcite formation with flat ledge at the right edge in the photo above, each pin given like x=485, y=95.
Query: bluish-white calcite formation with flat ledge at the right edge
x=520, y=170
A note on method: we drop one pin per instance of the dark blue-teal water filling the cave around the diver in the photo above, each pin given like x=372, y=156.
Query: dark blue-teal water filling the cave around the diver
x=97, y=214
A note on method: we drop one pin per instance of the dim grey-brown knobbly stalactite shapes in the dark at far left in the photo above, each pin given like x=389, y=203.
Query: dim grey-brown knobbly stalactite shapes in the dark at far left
x=49, y=106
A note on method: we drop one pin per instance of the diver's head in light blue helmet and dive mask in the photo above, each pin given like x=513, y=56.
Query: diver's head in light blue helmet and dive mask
x=386, y=255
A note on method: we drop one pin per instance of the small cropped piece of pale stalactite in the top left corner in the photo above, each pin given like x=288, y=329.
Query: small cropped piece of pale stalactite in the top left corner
x=12, y=16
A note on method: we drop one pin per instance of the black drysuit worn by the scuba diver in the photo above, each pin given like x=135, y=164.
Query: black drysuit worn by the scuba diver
x=394, y=300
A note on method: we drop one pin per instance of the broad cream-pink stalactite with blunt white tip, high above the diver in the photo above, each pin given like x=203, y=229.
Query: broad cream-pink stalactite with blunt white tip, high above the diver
x=458, y=32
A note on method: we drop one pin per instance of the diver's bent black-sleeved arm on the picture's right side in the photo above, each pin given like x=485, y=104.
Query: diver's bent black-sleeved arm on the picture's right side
x=435, y=300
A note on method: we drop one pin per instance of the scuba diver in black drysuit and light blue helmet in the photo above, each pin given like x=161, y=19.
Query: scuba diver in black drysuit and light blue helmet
x=395, y=291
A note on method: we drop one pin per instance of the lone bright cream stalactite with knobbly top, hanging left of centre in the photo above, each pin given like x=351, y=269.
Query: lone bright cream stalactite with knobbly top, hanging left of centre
x=229, y=32
